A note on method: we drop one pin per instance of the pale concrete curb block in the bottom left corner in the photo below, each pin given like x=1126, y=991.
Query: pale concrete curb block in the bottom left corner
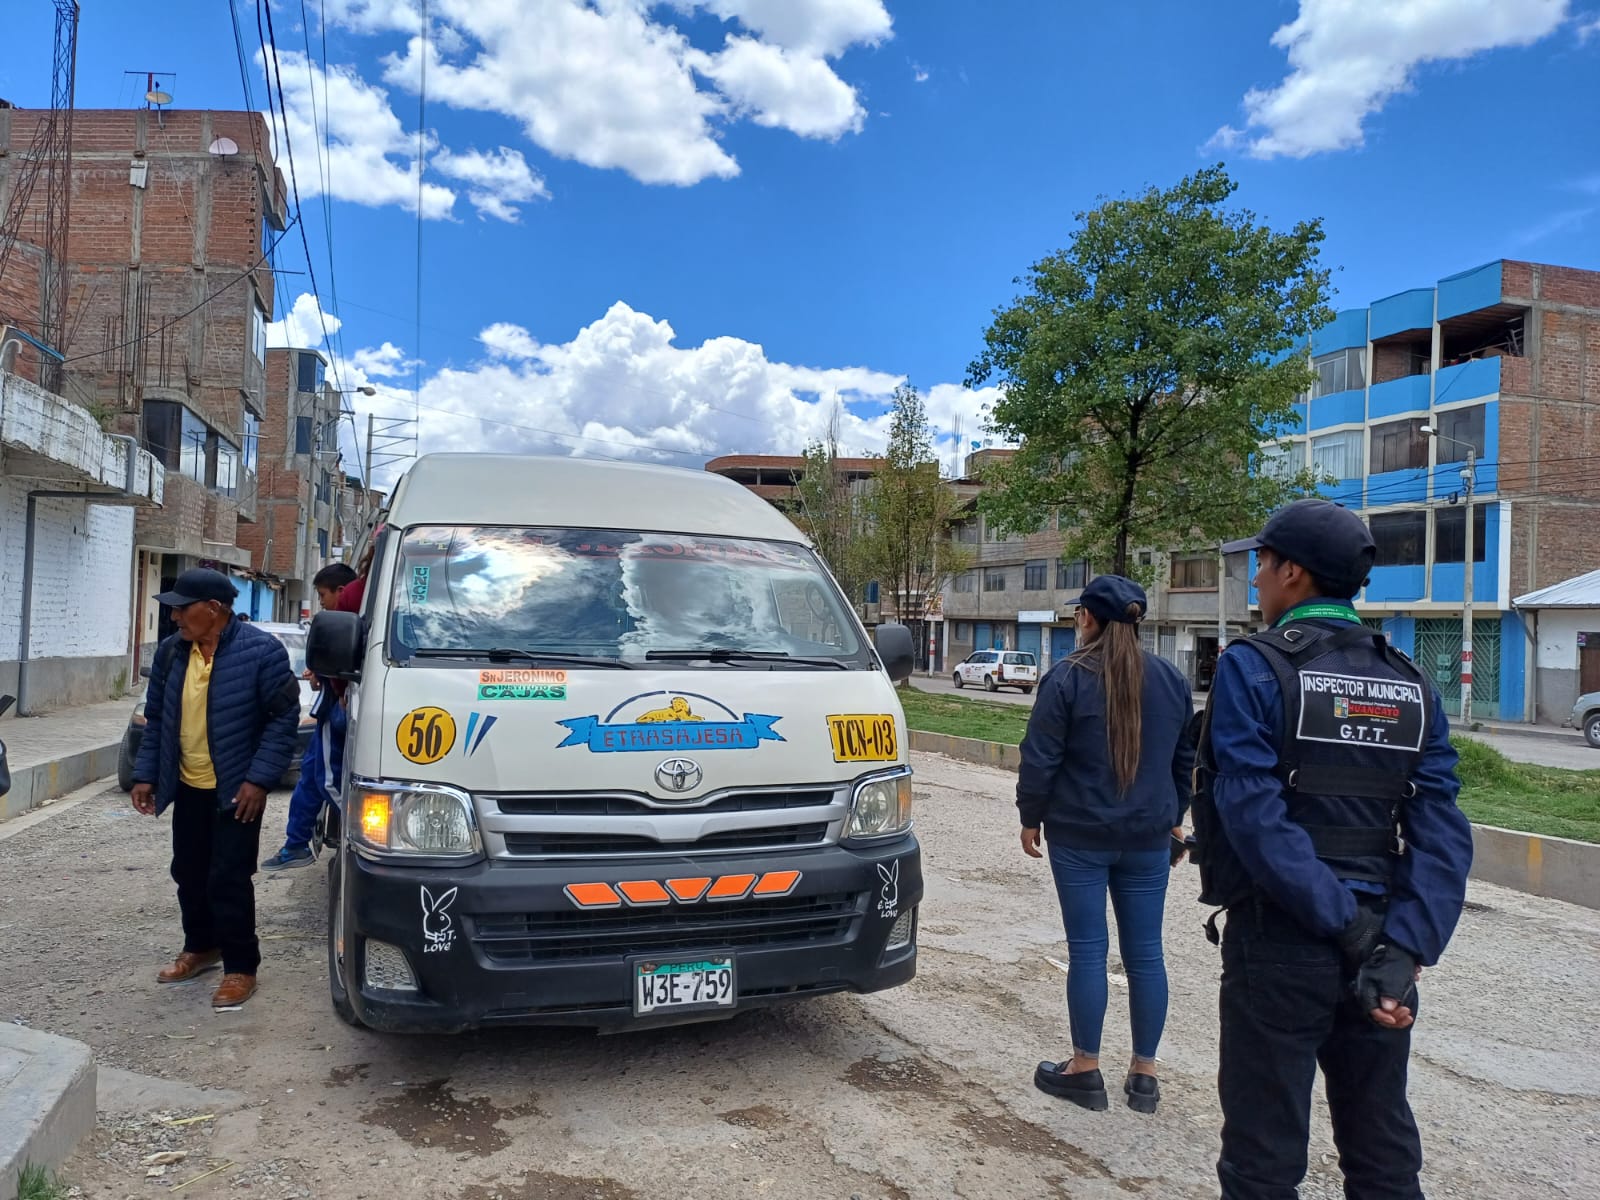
x=47, y=1102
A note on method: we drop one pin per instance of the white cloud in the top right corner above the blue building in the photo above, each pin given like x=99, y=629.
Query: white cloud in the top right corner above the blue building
x=1351, y=57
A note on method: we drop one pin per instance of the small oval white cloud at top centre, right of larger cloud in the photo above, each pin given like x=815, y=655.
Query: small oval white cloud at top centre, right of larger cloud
x=785, y=89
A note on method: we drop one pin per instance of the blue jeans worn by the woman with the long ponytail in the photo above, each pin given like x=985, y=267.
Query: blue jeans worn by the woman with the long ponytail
x=1138, y=894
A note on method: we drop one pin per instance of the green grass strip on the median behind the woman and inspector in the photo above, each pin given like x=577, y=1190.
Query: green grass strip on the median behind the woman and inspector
x=1495, y=791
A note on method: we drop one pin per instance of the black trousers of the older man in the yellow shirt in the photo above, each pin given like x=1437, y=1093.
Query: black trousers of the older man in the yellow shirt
x=214, y=858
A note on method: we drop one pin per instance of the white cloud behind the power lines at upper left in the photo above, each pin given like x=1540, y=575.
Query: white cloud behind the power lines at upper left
x=366, y=140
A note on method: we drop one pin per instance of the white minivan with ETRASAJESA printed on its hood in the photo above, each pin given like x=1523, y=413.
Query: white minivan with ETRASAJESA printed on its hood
x=620, y=754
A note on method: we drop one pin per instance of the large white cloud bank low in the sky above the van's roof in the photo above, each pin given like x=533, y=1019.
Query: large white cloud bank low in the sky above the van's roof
x=623, y=388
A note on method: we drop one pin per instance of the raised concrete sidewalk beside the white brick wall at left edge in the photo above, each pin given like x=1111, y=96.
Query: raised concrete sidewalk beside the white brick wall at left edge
x=60, y=753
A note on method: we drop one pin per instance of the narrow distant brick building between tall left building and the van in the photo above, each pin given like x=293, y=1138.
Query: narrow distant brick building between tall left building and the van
x=300, y=484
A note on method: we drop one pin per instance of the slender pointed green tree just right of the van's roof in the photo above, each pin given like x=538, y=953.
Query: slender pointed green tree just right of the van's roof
x=910, y=511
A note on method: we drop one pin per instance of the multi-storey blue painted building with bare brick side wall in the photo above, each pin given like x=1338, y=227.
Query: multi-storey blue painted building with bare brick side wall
x=1503, y=359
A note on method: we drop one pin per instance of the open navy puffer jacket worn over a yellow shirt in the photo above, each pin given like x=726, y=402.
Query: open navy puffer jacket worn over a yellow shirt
x=252, y=714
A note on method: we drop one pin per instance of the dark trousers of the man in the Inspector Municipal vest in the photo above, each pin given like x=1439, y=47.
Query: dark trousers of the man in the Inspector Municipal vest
x=1286, y=1012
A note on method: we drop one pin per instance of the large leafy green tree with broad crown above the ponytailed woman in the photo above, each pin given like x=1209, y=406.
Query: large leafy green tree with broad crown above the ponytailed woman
x=1145, y=367
